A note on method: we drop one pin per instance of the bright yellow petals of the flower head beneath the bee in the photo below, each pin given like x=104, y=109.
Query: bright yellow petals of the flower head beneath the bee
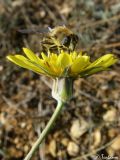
x=62, y=65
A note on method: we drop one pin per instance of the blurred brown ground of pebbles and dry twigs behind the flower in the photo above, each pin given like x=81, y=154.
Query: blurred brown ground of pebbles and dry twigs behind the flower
x=91, y=120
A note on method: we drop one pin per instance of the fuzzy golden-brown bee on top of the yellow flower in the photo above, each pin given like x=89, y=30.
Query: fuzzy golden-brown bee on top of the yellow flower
x=57, y=39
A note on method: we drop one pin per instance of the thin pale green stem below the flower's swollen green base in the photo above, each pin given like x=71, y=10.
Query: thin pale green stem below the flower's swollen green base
x=45, y=131
